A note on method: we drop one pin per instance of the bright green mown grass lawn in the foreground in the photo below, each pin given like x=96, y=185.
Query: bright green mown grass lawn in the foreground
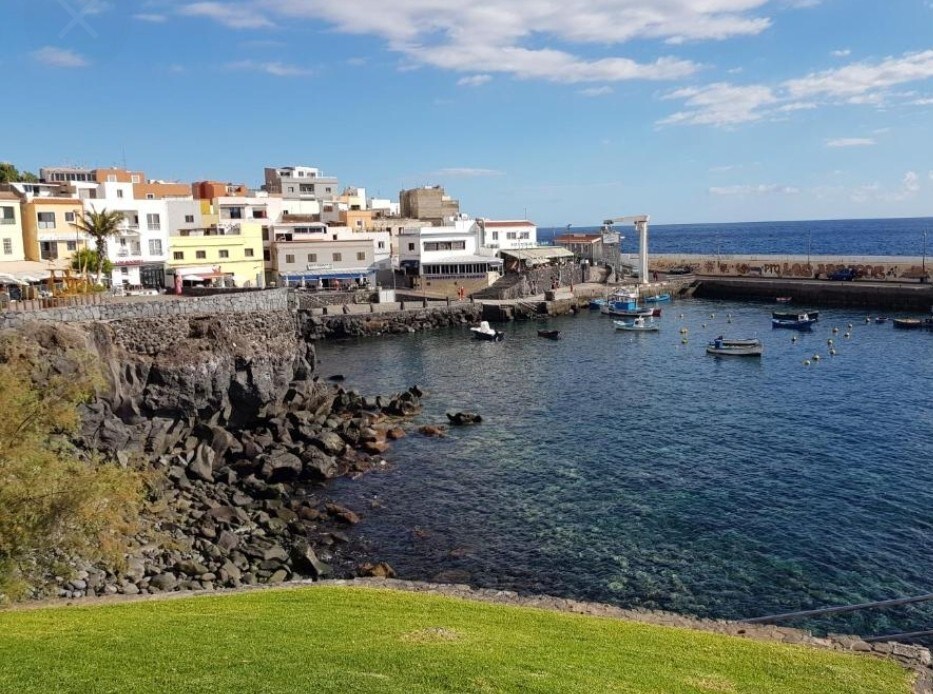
x=337, y=639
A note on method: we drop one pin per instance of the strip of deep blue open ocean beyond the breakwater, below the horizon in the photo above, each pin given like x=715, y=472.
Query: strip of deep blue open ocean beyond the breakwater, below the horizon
x=848, y=237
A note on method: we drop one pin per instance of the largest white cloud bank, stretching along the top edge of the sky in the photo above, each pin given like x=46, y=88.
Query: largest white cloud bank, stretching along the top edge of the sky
x=516, y=36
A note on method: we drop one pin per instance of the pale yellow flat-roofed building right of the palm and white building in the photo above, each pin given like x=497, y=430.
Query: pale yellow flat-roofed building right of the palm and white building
x=216, y=254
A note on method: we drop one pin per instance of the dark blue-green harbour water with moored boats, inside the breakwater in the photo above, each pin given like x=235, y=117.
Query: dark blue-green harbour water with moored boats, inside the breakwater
x=637, y=470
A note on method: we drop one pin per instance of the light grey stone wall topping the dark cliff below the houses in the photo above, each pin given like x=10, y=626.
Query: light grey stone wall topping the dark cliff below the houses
x=253, y=302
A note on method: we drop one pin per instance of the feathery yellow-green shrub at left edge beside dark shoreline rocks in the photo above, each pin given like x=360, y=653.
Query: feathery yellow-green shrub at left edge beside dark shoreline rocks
x=56, y=504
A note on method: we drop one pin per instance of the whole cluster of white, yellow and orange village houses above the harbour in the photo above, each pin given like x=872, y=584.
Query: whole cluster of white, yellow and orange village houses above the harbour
x=299, y=229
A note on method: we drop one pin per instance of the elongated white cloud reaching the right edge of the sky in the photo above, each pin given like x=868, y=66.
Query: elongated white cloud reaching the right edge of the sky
x=861, y=83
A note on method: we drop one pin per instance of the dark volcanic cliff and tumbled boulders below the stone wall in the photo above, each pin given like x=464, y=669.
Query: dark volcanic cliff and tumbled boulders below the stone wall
x=229, y=413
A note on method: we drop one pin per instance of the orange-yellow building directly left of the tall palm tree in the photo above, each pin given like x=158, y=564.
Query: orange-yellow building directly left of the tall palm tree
x=49, y=233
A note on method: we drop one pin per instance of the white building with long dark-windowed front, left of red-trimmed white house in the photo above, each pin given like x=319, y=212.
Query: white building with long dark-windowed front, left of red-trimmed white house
x=450, y=251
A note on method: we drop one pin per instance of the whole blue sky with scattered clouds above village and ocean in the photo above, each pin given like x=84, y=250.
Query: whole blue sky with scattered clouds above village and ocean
x=567, y=111
